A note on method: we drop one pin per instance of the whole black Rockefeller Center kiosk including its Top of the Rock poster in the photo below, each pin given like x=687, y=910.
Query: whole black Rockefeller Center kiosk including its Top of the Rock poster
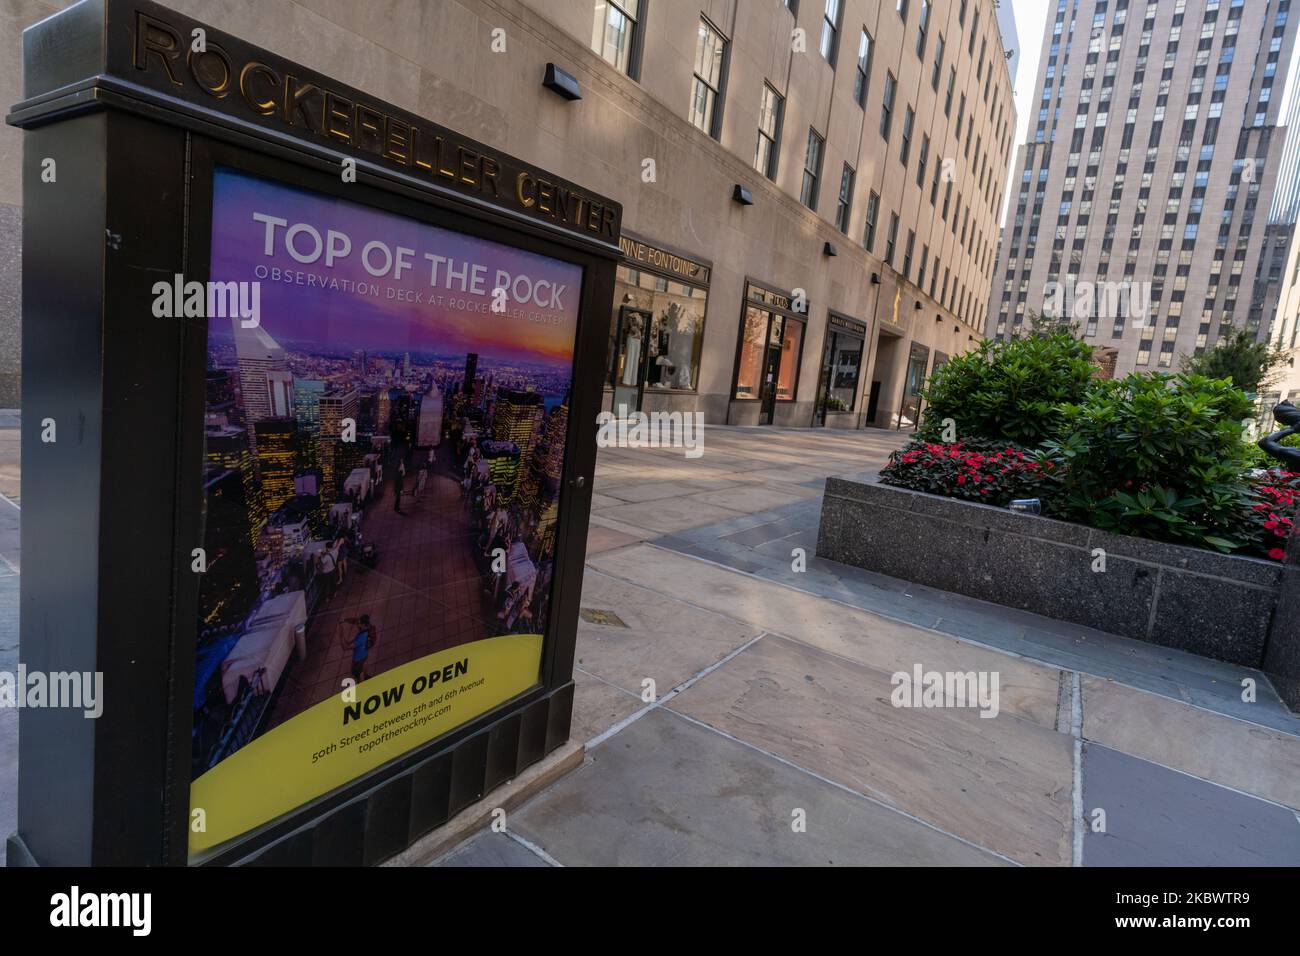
x=311, y=390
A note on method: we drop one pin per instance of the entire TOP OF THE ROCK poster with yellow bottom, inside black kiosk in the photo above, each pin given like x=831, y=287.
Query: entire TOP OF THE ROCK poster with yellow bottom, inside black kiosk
x=383, y=465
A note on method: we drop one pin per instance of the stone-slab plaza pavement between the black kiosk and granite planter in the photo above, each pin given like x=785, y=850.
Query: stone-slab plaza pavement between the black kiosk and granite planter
x=773, y=738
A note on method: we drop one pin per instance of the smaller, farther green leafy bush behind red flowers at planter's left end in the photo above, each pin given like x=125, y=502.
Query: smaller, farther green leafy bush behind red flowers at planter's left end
x=1009, y=391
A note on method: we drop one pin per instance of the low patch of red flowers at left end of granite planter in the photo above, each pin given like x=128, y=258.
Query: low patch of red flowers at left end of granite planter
x=986, y=471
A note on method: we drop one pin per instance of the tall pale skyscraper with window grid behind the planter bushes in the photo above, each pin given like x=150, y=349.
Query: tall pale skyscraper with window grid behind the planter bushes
x=1149, y=178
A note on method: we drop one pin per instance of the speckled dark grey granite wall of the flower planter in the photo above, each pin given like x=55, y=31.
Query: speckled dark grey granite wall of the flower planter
x=1206, y=603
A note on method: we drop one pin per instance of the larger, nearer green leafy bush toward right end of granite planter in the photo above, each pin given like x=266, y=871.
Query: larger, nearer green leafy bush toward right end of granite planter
x=1159, y=457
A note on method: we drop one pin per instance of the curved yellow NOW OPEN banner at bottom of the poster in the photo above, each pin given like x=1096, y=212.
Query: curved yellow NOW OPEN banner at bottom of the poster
x=346, y=737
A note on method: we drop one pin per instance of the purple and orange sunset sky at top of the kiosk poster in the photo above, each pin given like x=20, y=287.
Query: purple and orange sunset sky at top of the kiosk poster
x=441, y=305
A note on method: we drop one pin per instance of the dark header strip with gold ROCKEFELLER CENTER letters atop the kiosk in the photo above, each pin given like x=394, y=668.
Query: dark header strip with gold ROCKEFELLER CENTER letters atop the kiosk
x=253, y=85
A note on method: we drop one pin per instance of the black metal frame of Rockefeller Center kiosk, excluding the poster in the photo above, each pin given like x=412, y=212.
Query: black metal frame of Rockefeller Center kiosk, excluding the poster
x=137, y=123
